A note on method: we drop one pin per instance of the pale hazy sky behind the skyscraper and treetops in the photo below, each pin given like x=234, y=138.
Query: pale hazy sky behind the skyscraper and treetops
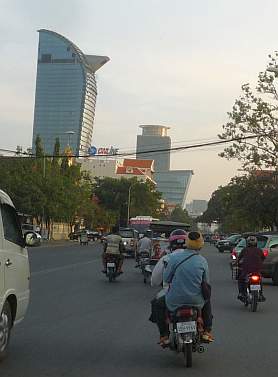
x=176, y=62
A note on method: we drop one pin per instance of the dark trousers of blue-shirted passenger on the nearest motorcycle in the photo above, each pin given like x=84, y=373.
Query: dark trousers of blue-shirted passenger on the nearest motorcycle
x=159, y=315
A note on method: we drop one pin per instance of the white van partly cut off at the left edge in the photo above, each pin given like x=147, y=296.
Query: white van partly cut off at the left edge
x=14, y=271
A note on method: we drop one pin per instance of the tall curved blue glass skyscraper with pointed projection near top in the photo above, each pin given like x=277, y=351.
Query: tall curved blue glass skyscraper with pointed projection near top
x=65, y=93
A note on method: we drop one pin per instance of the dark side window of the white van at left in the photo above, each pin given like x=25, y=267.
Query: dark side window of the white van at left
x=12, y=229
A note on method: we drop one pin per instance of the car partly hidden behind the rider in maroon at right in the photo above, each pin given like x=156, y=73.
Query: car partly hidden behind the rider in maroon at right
x=269, y=245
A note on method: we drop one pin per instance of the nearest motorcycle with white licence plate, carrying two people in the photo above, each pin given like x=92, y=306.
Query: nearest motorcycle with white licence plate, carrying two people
x=186, y=328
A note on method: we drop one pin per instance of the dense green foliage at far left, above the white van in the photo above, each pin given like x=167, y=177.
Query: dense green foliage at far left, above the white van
x=45, y=191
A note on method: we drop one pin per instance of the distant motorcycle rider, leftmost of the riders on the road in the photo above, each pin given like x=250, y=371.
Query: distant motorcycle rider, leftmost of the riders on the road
x=113, y=247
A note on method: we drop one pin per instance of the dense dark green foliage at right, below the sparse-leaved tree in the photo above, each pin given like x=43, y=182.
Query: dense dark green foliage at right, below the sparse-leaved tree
x=247, y=203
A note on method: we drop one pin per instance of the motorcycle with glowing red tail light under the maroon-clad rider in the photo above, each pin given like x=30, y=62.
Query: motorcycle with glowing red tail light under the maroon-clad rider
x=253, y=291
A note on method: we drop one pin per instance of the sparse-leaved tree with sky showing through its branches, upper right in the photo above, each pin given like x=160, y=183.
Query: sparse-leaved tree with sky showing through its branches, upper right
x=255, y=113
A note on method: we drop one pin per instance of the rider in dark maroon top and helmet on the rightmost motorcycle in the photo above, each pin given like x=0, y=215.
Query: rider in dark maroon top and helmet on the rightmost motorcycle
x=250, y=260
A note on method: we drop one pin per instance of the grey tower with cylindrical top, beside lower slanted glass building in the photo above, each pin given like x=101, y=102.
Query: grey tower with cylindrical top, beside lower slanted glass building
x=154, y=137
